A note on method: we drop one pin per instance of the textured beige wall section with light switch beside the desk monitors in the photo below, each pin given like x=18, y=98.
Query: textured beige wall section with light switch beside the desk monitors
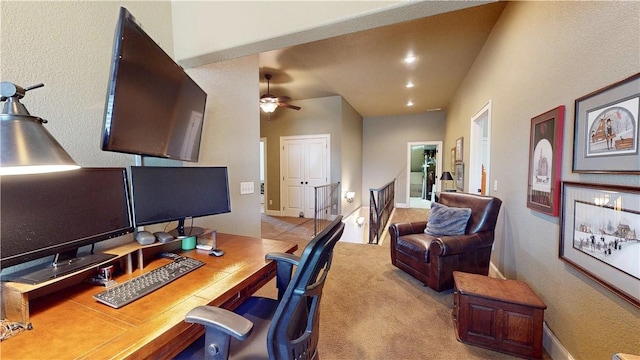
x=231, y=138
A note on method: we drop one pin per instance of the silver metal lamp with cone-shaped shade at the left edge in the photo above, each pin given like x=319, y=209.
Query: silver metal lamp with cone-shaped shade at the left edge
x=26, y=146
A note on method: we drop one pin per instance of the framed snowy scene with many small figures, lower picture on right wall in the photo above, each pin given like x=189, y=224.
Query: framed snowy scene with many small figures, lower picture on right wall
x=600, y=235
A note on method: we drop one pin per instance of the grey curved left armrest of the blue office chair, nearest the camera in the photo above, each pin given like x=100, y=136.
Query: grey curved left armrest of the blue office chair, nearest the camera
x=221, y=320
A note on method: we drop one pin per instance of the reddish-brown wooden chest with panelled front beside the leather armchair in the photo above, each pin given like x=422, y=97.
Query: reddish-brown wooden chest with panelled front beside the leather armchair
x=501, y=315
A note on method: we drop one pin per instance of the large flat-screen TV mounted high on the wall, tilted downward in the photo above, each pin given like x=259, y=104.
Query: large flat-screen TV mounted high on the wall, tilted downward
x=153, y=107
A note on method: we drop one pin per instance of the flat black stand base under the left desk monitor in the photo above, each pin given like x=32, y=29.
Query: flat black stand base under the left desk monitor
x=48, y=271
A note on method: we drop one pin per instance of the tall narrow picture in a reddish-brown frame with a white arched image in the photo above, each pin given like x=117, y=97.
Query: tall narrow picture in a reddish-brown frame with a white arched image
x=545, y=162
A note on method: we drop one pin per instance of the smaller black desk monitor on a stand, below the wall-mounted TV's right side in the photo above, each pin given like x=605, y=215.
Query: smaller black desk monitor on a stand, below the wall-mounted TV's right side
x=165, y=194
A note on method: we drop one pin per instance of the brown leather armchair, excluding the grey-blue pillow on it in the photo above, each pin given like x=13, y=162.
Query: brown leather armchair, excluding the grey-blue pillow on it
x=432, y=259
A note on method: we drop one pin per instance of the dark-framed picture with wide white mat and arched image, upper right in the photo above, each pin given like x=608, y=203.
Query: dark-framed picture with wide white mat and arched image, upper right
x=606, y=129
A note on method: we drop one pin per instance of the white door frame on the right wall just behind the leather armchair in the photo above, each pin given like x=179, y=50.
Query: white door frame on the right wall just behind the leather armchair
x=480, y=149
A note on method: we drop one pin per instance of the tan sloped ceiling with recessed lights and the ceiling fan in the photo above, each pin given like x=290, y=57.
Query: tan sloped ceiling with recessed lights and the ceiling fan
x=367, y=68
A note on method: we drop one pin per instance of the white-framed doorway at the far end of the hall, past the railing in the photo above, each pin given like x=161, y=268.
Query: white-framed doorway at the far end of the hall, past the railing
x=424, y=166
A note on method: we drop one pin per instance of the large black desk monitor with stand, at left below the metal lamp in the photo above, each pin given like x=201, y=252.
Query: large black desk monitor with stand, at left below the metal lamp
x=57, y=213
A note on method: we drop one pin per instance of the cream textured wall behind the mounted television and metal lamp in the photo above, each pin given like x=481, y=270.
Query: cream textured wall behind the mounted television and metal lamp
x=67, y=46
